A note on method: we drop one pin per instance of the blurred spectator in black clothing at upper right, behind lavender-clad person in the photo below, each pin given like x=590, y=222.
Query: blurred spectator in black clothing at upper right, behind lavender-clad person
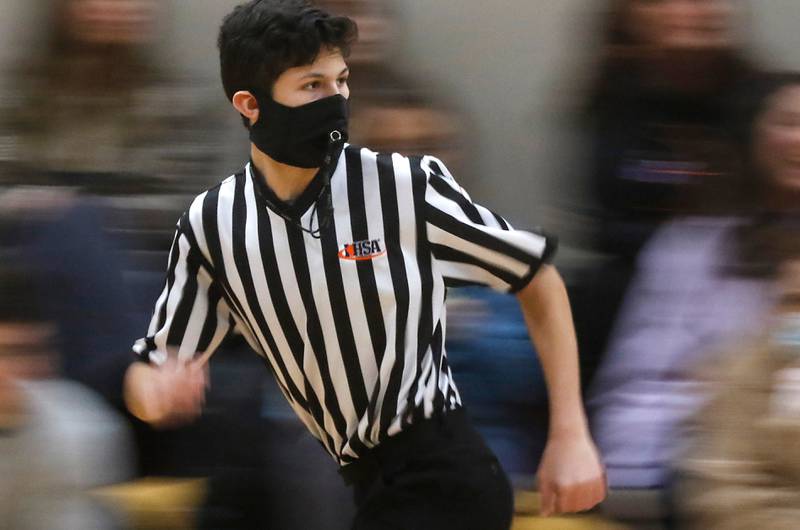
x=657, y=122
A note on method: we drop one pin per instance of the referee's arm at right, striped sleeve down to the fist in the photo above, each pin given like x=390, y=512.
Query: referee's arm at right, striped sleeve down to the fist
x=472, y=245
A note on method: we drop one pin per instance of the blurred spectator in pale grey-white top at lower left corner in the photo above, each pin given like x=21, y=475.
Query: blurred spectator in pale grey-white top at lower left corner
x=57, y=439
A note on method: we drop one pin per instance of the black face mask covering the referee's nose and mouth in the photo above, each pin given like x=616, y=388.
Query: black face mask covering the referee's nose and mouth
x=299, y=136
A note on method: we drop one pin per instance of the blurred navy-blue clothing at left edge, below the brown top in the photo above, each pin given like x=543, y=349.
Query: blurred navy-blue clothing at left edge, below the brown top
x=59, y=240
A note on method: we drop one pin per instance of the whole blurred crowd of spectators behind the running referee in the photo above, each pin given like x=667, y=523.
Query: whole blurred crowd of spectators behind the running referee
x=687, y=315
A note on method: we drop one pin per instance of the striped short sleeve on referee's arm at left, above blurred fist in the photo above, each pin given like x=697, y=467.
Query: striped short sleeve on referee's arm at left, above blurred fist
x=191, y=317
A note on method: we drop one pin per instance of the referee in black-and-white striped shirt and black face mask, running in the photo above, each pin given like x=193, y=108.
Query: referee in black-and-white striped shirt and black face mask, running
x=333, y=261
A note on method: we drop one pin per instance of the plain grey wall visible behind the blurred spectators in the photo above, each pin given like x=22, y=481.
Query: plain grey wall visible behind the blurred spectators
x=548, y=52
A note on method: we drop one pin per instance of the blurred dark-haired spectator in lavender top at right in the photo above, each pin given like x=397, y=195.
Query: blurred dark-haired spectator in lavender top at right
x=703, y=281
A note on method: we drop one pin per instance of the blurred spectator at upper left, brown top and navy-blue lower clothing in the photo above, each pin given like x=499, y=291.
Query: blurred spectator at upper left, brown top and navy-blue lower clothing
x=82, y=134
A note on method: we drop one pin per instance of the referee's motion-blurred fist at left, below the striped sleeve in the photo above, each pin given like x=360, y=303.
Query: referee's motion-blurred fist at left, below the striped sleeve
x=166, y=396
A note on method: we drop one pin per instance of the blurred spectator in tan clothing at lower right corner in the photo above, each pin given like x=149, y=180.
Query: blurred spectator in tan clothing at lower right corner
x=743, y=468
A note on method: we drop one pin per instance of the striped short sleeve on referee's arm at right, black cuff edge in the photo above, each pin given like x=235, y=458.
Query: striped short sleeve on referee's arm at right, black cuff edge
x=473, y=245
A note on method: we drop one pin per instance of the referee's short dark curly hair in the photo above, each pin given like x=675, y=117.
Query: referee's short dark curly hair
x=261, y=39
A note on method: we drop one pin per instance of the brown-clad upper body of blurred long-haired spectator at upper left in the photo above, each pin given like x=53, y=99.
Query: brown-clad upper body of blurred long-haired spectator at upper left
x=94, y=108
